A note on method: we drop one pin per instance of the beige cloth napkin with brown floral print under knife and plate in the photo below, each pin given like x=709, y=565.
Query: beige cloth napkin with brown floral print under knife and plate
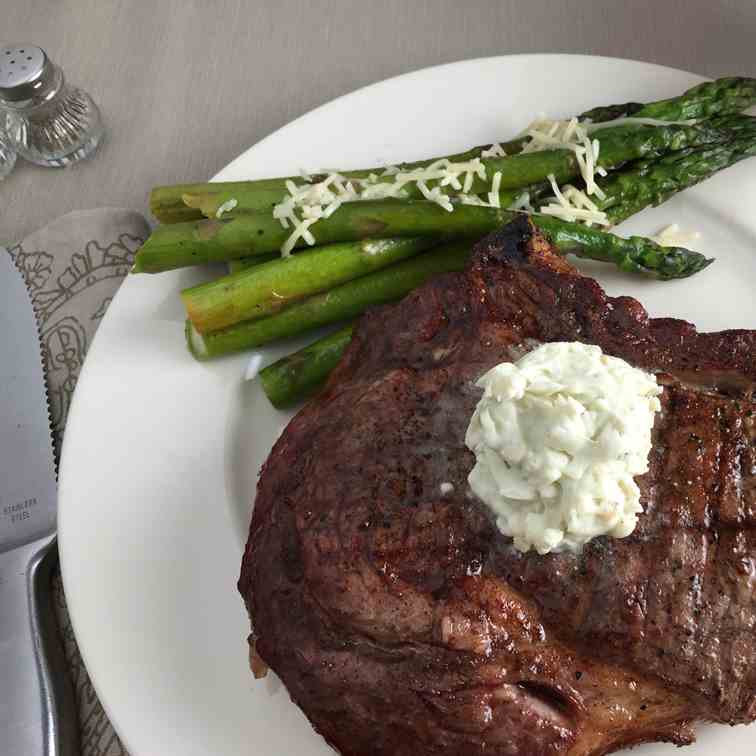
x=73, y=267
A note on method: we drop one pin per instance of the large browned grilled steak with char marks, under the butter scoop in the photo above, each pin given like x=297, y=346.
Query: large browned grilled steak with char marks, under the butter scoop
x=403, y=623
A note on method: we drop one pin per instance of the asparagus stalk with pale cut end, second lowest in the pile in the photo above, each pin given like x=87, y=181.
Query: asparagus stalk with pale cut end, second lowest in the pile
x=340, y=303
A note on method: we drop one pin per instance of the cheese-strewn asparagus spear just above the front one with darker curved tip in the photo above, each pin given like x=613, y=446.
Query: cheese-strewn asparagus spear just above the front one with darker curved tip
x=618, y=145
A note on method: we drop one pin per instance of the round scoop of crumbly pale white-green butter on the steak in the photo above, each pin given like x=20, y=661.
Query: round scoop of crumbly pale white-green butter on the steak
x=558, y=437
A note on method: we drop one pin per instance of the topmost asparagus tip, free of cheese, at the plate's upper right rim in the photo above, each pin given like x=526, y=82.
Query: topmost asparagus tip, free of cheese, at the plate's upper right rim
x=721, y=97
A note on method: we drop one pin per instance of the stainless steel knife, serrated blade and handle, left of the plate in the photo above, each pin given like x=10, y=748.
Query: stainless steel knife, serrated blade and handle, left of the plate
x=37, y=711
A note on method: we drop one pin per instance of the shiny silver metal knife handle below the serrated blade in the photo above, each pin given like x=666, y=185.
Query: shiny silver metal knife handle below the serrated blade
x=37, y=705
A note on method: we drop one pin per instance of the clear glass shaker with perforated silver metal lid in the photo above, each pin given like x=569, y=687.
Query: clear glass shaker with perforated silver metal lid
x=48, y=122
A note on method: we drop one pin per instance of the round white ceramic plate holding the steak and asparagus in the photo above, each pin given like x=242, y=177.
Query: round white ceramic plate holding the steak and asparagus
x=162, y=453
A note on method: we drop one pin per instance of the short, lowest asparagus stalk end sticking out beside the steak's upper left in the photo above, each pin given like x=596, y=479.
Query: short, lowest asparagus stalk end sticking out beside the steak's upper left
x=298, y=375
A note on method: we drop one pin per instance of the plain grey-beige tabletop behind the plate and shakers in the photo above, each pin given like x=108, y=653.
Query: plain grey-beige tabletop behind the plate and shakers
x=186, y=85
